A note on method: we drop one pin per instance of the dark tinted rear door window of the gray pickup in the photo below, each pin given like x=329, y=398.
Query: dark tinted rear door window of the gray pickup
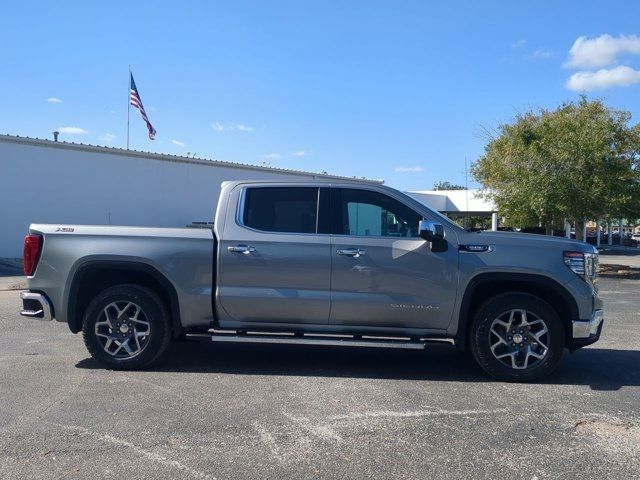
x=281, y=209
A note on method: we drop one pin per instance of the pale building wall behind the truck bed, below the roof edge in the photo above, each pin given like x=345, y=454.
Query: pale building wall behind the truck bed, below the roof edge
x=47, y=182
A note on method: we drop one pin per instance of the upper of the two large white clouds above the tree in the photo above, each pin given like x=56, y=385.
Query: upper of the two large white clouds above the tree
x=601, y=51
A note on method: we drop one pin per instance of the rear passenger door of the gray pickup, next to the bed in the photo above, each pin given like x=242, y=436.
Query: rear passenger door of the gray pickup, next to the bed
x=274, y=265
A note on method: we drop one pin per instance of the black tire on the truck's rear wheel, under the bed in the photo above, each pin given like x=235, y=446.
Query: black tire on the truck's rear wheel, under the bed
x=155, y=315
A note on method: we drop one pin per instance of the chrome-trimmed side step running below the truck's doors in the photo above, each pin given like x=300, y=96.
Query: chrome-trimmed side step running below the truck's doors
x=232, y=336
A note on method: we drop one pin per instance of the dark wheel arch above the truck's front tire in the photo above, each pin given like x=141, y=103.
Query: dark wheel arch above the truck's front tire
x=487, y=285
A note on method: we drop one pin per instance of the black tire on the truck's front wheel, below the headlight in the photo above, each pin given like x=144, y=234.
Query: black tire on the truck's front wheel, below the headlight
x=499, y=308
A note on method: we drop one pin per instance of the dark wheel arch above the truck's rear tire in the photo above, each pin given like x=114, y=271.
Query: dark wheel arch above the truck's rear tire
x=94, y=276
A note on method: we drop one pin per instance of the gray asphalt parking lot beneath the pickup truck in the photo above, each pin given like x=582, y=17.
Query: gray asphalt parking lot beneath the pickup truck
x=246, y=411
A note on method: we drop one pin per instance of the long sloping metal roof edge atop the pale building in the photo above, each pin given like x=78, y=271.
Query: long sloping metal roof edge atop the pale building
x=39, y=142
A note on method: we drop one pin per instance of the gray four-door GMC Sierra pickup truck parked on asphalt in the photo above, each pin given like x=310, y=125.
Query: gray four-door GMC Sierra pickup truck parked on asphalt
x=318, y=264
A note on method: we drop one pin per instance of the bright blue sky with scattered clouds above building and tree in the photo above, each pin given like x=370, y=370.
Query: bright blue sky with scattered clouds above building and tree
x=393, y=90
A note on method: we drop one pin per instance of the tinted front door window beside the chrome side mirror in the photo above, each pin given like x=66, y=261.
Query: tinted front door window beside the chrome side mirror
x=366, y=213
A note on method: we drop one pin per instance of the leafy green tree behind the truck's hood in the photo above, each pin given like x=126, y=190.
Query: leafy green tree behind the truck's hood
x=577, y=161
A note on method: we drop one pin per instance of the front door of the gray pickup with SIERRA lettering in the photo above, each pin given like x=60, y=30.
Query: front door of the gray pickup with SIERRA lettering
x=383, y=273
